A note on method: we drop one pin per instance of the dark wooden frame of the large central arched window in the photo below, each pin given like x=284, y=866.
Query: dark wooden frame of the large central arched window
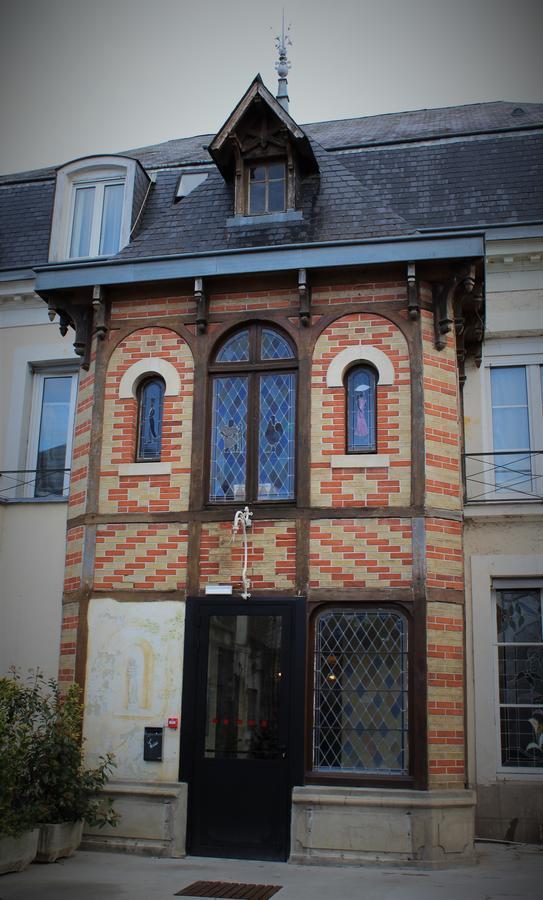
x=252, y=369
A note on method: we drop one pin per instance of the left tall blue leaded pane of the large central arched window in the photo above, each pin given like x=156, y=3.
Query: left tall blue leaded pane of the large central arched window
x=229, y=439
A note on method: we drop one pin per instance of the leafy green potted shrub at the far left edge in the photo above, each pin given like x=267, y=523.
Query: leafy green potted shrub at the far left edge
x=19, y=812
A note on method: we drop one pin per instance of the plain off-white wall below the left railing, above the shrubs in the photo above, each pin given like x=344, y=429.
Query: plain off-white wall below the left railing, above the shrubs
x=32, y=548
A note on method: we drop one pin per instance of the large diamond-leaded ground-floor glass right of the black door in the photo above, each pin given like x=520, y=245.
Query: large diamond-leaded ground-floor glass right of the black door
x=360, y=692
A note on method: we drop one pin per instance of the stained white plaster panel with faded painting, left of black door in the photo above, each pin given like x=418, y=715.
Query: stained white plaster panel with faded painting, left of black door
x=134, y=680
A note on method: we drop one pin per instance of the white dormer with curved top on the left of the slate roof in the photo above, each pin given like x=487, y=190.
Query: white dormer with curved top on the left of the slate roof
x=98, y=201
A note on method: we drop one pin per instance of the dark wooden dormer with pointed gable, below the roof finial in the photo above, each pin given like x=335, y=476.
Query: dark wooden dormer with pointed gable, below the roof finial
x=264, y=153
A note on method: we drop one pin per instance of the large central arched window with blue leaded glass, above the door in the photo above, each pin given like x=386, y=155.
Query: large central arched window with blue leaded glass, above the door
x=253, y=418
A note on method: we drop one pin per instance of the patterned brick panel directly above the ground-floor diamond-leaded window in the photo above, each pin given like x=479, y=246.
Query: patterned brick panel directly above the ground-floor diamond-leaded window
x=353, y=553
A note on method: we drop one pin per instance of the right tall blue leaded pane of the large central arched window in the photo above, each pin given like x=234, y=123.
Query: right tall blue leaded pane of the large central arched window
x=276, y=437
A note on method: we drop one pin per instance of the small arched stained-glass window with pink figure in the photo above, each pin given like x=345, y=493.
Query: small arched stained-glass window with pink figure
x=361, y=410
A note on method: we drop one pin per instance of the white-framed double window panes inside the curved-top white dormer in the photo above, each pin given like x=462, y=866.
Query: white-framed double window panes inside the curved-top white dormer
x=97, y=216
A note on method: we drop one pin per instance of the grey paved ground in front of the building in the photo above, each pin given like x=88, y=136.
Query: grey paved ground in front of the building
x=502, y=872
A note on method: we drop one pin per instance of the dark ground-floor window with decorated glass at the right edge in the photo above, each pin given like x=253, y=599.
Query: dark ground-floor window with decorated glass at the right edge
x=519, y=615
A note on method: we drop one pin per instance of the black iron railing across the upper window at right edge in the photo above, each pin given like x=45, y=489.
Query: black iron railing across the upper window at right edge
x=503, y=477
